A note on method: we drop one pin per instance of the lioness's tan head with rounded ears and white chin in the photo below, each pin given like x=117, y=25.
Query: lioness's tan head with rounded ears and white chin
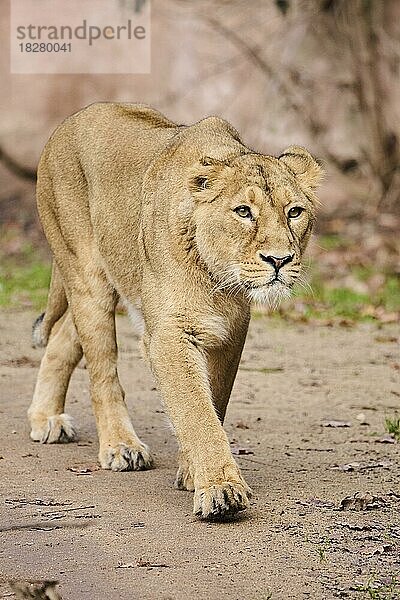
x=253, y=218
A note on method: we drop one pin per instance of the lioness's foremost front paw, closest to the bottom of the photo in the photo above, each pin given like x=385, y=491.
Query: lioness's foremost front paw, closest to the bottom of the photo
x=221, y=501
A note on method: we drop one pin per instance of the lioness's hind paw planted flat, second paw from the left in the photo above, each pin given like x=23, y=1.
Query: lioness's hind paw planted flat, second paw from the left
x=123, y=457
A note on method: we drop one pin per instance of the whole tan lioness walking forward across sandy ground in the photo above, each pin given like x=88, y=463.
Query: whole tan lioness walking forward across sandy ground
x=189, y=225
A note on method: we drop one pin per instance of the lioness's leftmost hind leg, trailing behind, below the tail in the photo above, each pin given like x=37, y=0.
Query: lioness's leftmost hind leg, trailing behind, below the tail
x=46, y=414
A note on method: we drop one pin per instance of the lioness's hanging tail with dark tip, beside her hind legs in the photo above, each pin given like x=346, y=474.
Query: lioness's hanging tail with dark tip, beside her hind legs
x=57, y=304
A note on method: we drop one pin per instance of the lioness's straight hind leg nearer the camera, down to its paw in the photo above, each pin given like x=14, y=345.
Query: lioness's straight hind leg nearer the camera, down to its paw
x=92, y=301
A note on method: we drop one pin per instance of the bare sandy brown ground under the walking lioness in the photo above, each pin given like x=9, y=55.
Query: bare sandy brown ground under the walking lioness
x=127, y=536
